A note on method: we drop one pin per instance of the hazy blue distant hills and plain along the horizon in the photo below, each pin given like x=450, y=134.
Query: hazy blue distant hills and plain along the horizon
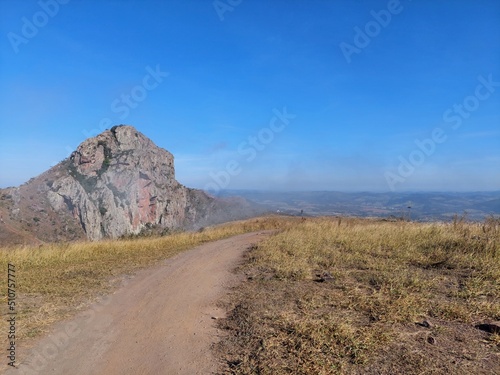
x=422, y=206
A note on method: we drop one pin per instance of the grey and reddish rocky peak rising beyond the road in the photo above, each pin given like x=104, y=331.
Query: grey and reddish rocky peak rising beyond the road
x=117, y=183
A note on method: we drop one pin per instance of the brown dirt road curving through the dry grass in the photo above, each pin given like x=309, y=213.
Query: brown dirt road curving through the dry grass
x=159, y=322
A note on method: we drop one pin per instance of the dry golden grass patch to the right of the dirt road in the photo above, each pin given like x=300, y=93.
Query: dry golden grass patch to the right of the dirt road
x=331, y=296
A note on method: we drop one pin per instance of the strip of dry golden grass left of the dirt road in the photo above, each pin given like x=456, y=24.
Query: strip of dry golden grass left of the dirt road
x=56, y=280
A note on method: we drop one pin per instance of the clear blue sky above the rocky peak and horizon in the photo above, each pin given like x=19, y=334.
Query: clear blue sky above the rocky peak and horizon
x=285, y=94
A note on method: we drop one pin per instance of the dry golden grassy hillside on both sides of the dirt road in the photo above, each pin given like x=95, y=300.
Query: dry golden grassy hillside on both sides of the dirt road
x=322, y=296
